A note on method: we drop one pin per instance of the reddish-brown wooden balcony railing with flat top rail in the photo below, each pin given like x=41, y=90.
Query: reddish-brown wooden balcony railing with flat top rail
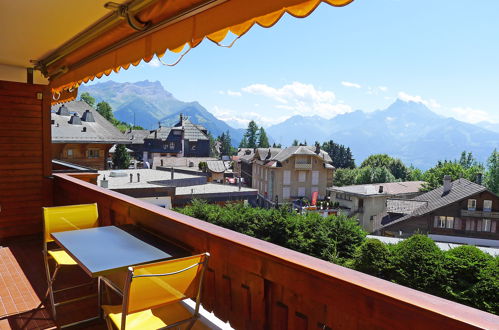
x=259, y=285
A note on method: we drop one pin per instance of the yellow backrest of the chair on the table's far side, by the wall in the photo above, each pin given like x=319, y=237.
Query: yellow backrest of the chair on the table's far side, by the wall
x=70, y=217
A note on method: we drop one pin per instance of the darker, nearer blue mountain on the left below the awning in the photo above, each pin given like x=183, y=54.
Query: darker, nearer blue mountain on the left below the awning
x=146, y=103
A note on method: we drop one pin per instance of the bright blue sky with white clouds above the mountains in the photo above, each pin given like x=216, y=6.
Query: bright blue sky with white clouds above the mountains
x=443, y=53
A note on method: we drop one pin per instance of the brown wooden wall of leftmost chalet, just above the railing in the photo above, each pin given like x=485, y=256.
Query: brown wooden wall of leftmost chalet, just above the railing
x=81, y=154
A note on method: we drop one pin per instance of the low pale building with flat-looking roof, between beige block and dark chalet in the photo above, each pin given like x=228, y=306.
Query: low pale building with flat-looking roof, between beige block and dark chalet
x=366, y=201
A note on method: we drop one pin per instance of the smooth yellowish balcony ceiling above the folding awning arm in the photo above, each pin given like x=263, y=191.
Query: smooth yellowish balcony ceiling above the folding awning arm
x=31, y=29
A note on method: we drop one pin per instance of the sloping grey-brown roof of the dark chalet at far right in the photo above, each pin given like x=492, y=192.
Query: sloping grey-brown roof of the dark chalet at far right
x=461, y=189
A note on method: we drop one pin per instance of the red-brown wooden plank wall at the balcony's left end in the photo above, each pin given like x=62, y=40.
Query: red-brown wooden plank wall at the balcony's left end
x=25, y=162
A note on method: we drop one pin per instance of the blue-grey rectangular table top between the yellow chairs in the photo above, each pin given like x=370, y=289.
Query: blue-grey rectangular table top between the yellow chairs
x=103, y=250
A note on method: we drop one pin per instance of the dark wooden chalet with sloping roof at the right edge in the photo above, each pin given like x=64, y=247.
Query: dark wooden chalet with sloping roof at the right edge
x=460, y=208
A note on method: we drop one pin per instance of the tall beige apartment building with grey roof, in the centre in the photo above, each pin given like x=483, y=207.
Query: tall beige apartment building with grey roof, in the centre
x=284, y=175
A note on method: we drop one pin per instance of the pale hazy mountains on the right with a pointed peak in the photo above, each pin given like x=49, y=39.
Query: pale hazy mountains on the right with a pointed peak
x=406, y=130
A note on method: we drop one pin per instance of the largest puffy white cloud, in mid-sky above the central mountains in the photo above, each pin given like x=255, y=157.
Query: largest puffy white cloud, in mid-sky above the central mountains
x=300, y=98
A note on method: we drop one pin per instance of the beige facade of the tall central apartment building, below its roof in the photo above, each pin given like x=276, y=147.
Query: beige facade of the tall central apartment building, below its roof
x=262, y=176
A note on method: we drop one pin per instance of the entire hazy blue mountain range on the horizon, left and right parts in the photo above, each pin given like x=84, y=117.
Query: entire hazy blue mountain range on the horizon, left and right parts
x=406, y=130
